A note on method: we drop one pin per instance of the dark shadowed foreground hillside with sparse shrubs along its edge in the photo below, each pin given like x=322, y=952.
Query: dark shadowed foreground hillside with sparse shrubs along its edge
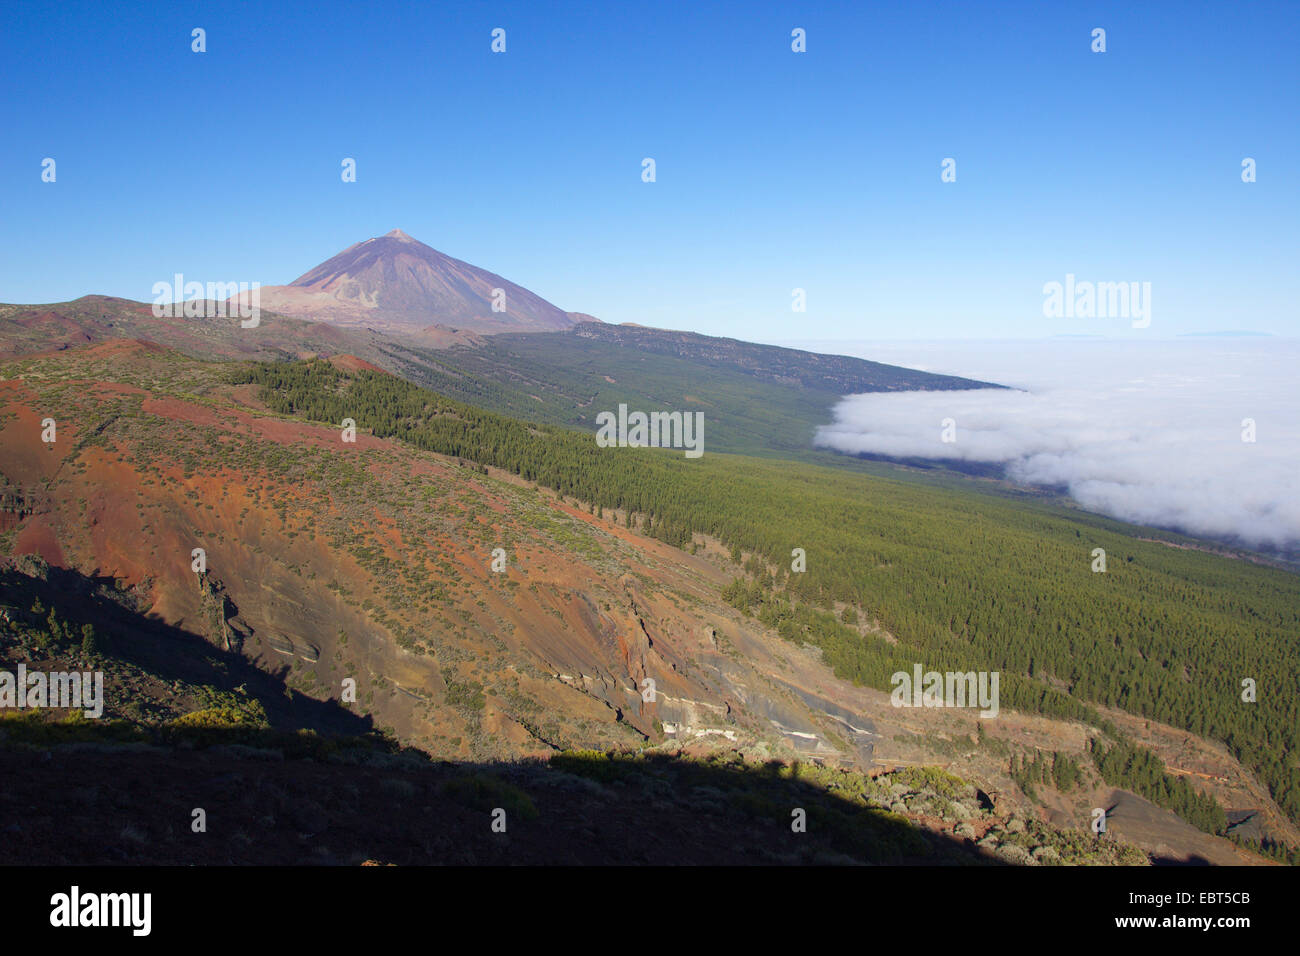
x=287, y=780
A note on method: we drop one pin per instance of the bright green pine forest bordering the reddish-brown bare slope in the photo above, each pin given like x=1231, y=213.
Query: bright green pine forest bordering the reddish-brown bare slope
x=964, y=579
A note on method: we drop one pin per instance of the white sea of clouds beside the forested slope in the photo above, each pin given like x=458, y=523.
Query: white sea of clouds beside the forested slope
x=1147, y=432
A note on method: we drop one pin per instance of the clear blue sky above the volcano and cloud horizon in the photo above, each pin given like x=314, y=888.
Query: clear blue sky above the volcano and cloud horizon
x=775, y=170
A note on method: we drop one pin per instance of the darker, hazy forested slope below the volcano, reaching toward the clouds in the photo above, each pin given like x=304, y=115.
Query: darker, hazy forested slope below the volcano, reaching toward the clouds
x=760, y=400
